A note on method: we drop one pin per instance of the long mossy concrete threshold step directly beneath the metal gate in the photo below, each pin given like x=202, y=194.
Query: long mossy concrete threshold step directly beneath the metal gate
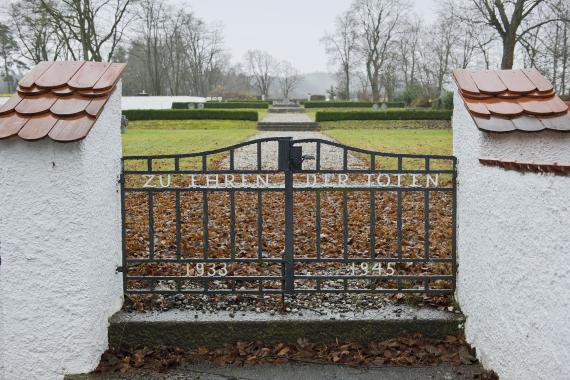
x=186, y=328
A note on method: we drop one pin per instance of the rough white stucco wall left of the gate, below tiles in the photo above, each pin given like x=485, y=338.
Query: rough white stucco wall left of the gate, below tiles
x=60, y=244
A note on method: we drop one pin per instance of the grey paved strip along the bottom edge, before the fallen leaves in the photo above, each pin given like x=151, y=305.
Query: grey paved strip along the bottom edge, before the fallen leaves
x=298, y=371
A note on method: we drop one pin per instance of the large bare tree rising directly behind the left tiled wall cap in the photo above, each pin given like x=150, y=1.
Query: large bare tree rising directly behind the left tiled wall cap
x=97, y=26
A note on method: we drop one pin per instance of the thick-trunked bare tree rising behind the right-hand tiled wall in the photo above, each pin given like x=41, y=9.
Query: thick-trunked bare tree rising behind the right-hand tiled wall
x=510, y=20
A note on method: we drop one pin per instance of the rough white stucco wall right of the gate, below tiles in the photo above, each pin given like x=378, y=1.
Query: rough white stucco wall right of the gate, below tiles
x=514, y=251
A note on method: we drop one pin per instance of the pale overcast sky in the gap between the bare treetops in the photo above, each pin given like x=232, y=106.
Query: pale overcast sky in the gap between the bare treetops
x=288, y=29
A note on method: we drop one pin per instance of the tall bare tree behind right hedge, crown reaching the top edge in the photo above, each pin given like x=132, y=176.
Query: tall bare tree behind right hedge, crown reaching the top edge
x=379, y=20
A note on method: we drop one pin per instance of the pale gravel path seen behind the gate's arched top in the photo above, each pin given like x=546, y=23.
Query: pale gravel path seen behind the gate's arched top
x=331, y=157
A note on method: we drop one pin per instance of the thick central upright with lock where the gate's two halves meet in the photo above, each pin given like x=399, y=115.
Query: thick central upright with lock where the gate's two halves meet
x=285, y=165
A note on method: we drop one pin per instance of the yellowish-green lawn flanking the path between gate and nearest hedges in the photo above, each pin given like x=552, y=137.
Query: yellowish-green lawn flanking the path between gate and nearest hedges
x=188, y=136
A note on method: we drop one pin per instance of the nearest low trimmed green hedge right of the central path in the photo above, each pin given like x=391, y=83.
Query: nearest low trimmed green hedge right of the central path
x=408, y=114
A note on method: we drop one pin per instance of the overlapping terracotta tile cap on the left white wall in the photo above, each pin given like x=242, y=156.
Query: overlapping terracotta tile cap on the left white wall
x=59, y=100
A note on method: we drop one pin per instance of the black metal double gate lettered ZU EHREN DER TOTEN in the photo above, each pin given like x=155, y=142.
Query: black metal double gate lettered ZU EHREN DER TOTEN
x=263, y=218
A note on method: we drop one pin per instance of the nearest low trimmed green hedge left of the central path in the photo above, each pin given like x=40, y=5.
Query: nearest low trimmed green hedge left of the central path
x=134, y=115
